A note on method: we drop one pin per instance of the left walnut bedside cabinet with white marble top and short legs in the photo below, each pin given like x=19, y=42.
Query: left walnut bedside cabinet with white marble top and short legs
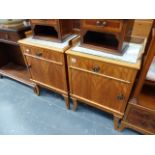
x=47, y=65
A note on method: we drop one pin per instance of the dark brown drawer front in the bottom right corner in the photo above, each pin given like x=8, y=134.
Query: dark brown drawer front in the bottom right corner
x=141, y=118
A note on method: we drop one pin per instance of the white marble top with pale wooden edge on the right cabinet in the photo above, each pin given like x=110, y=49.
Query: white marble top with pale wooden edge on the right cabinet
x=131, y=58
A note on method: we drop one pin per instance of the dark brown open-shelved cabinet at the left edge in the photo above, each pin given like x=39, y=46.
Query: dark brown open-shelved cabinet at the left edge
x=12, y=63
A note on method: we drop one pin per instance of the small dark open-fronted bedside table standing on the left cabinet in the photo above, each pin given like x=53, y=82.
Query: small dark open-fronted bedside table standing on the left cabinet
x=52, y=29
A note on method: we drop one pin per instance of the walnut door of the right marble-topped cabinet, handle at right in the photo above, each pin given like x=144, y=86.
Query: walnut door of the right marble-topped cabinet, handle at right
x=104, y=91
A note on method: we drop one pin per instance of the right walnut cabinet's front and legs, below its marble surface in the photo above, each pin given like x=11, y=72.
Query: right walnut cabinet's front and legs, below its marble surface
x=100, y=82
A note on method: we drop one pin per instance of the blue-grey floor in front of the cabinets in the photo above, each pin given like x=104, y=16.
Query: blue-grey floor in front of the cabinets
x=24, y=113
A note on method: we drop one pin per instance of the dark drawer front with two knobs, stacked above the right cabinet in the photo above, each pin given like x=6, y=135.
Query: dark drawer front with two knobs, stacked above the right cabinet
x=103, y=24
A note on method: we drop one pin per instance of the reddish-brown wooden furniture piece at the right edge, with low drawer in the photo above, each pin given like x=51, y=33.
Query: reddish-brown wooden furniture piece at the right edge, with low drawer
x=140, y=112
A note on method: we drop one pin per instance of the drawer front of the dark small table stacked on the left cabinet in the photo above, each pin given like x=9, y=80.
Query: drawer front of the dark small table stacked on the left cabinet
x=44, y=21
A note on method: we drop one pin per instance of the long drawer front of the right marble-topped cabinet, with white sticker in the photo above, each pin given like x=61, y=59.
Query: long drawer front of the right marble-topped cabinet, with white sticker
x=98, y=67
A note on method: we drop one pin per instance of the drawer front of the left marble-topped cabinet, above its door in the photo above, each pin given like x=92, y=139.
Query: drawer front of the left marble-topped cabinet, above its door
x=42, y=53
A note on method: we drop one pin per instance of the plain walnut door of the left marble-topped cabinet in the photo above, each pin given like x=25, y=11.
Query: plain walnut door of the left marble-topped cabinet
x=47, y=73
